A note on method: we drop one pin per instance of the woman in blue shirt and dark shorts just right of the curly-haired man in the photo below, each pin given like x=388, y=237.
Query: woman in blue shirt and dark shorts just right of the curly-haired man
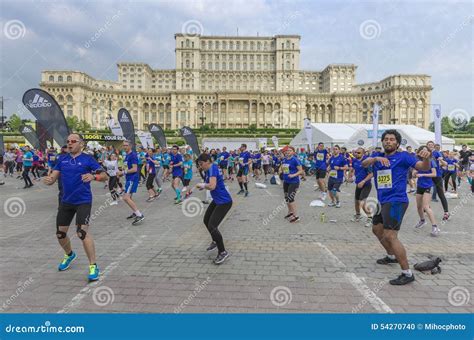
x=423, y=196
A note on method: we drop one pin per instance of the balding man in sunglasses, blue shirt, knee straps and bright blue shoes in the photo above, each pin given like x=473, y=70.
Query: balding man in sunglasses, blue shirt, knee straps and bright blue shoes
x=77, y=170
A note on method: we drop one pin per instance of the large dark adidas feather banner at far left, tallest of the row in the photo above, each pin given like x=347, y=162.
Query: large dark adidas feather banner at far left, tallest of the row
x=48, y=113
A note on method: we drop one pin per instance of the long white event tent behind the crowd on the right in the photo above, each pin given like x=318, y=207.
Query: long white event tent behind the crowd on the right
x=353, y=135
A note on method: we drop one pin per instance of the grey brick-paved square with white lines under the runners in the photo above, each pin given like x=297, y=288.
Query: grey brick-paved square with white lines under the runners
x=162, y=265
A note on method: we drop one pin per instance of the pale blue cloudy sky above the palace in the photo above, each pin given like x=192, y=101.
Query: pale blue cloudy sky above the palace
x=381, y=38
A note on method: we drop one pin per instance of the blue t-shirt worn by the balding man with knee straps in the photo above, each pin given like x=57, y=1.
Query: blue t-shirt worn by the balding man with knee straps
x=75, y=191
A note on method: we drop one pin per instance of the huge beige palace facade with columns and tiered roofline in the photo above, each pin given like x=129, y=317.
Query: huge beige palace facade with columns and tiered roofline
x=237, y=82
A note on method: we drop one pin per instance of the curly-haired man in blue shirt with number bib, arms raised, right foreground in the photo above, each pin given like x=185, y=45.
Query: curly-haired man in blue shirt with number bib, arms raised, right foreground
x=390, y=173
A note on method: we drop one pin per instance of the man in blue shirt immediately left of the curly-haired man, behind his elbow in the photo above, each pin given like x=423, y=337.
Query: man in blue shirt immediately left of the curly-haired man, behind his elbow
x=363, y=180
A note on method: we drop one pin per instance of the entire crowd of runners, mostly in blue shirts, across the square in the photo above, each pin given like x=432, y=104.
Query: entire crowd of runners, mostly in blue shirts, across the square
x=427, y=172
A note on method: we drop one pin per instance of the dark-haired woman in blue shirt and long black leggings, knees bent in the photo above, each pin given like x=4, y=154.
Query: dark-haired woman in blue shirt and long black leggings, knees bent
x=219, y=207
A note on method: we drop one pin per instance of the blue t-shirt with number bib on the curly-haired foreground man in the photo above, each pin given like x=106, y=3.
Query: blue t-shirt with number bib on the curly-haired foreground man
x=391, y=181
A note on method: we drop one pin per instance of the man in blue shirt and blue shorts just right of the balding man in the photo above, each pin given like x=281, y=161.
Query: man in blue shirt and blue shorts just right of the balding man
x=131, y=181
